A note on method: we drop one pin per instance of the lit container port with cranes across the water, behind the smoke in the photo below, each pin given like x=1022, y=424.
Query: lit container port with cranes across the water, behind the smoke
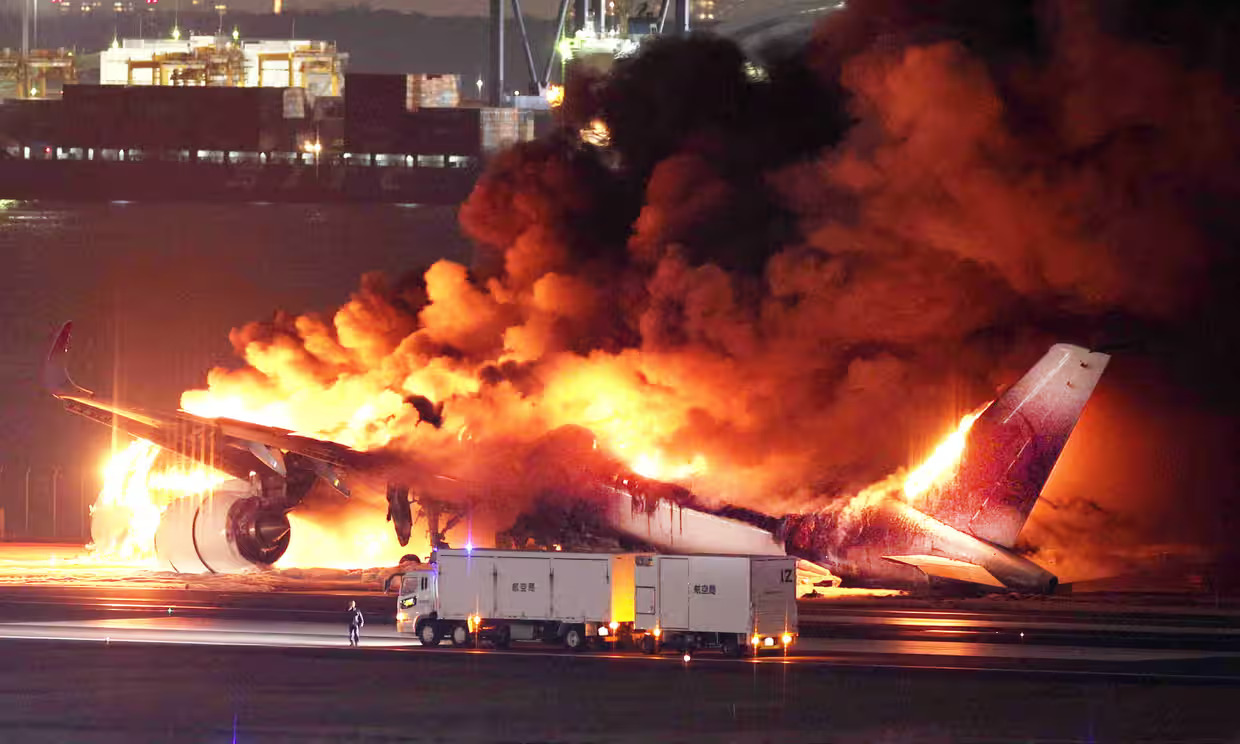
x=224, y=118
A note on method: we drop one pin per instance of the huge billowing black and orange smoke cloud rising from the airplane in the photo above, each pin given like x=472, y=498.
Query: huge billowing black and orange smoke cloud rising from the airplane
x=779, y=288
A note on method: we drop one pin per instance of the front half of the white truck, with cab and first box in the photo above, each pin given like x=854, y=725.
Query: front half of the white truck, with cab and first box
x=518, y=596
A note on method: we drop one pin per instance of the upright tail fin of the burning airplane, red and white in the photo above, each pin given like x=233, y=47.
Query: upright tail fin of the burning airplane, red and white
x=1014, y=446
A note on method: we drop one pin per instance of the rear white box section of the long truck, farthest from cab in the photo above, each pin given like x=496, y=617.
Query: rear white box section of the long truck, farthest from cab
x=735, y=603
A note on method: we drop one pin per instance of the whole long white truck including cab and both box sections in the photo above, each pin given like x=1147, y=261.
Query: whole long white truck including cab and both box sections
x=733, y=603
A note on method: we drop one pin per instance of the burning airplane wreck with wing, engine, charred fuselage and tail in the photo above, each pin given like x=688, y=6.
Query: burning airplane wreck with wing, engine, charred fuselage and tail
x=957, y=518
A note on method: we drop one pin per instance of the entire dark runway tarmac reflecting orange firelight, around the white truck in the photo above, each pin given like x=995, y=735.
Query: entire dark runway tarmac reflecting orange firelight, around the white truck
x=116, y=663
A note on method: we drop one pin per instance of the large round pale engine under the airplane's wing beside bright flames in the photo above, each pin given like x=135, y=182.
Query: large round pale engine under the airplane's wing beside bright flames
x=221, y=533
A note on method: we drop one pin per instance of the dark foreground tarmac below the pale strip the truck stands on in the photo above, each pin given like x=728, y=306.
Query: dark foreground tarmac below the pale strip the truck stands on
x=287, y=685
